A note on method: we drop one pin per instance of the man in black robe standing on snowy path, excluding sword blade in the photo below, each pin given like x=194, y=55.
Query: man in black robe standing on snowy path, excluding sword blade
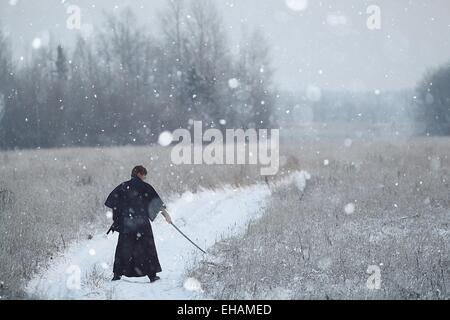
x=134, y=204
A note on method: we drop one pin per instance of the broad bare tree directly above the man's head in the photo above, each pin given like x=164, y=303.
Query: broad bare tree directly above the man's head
x=132, y=62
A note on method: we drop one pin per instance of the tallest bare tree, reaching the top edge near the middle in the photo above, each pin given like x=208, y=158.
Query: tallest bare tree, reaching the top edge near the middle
x=207, y=54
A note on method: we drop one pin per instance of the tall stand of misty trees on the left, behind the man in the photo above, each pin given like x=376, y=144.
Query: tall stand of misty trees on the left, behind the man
x=124, y=85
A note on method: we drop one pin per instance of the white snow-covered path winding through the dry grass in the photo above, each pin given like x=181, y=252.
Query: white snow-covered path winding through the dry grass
x=84, y=271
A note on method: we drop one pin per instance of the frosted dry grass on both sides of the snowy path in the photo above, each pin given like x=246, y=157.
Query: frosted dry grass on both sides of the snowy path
x=304, y=248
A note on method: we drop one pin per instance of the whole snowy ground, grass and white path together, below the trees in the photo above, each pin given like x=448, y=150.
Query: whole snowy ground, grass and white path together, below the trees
x=383, y=203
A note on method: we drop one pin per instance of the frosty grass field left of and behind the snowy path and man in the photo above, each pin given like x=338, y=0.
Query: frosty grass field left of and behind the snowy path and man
x=52, y=198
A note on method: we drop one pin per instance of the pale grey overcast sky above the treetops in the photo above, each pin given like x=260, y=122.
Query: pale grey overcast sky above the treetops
x=323, y=43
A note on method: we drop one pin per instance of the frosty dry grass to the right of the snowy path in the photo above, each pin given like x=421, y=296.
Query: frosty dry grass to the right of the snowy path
x=306, y=246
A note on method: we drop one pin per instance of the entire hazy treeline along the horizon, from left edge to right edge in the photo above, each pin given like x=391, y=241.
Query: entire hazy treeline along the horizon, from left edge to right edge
x=126, y=85
